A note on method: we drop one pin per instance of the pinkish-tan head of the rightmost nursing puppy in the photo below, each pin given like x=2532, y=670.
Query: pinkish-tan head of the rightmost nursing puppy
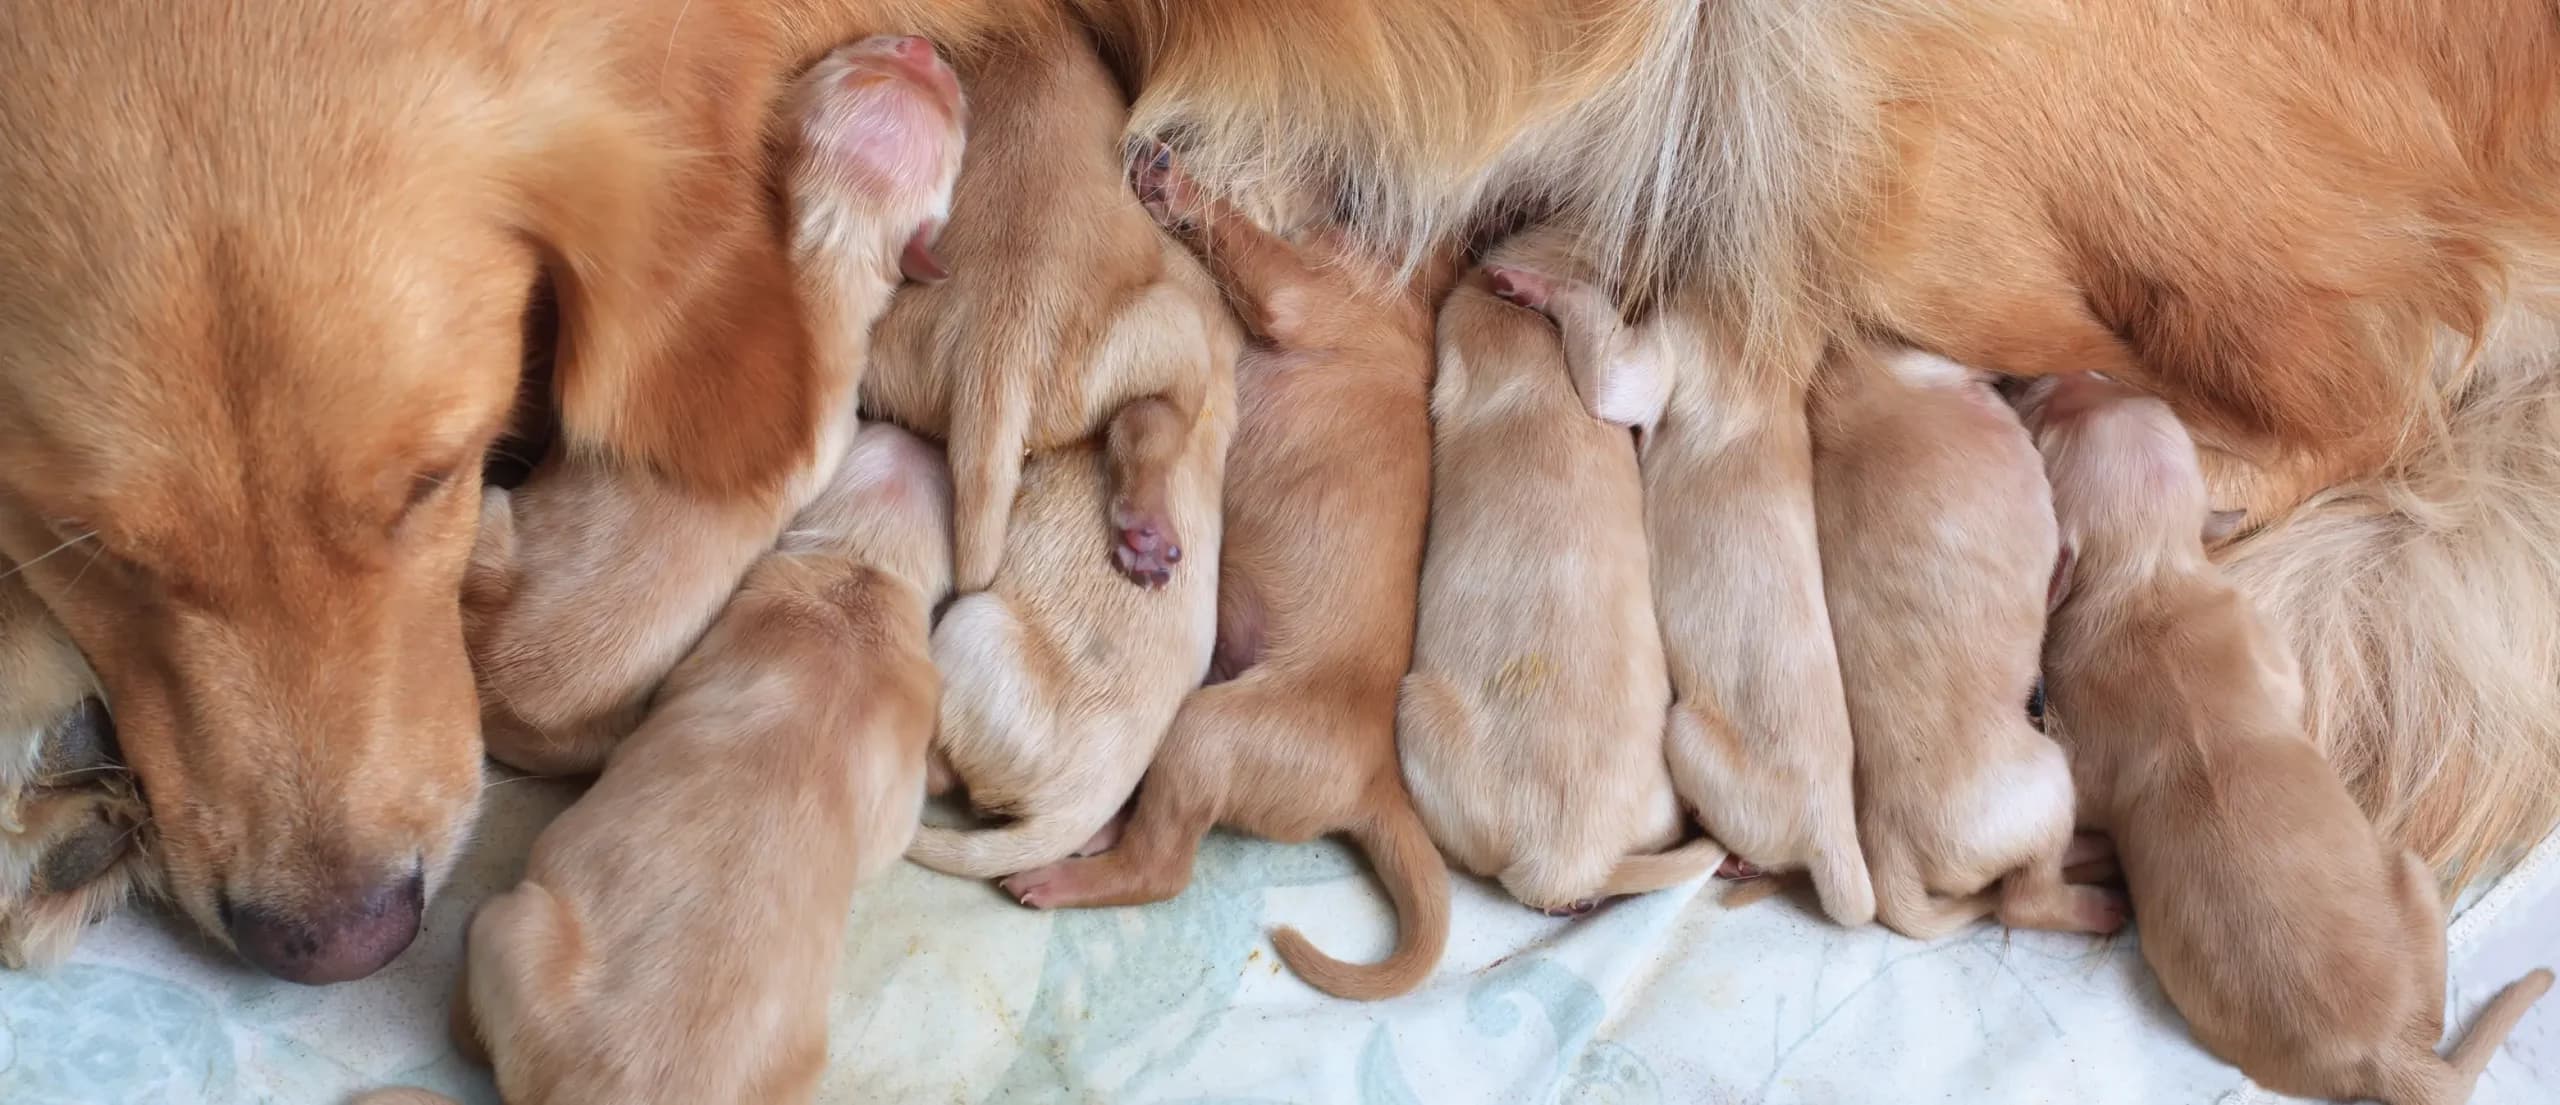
x=2121, y=464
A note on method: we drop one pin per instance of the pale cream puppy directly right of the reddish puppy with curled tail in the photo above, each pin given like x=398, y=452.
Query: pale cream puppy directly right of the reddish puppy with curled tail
x=1532, y=720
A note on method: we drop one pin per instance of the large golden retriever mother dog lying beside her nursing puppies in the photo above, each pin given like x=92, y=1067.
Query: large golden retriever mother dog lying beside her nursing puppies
x=265, y=270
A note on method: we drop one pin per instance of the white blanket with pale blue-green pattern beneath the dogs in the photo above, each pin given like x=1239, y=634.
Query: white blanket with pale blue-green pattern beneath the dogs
x=951, y=994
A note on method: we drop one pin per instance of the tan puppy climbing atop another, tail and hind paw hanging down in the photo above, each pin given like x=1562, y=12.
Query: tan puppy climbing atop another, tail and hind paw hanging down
x=1061, y=336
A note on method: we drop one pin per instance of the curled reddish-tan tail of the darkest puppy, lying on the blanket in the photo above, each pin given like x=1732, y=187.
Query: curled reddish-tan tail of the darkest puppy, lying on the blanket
x=1417, y=881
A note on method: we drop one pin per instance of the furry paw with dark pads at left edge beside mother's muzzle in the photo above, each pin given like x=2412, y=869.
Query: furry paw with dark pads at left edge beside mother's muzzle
x=73, y=830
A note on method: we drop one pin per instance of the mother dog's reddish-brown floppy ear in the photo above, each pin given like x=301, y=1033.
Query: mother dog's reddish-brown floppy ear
x=682, y=347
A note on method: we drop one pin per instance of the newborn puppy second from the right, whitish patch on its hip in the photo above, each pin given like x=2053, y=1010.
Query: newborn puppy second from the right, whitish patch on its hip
x=1937, y=554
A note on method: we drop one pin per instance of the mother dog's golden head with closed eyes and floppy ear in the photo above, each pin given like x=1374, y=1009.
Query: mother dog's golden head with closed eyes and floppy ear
x=265, y=275
